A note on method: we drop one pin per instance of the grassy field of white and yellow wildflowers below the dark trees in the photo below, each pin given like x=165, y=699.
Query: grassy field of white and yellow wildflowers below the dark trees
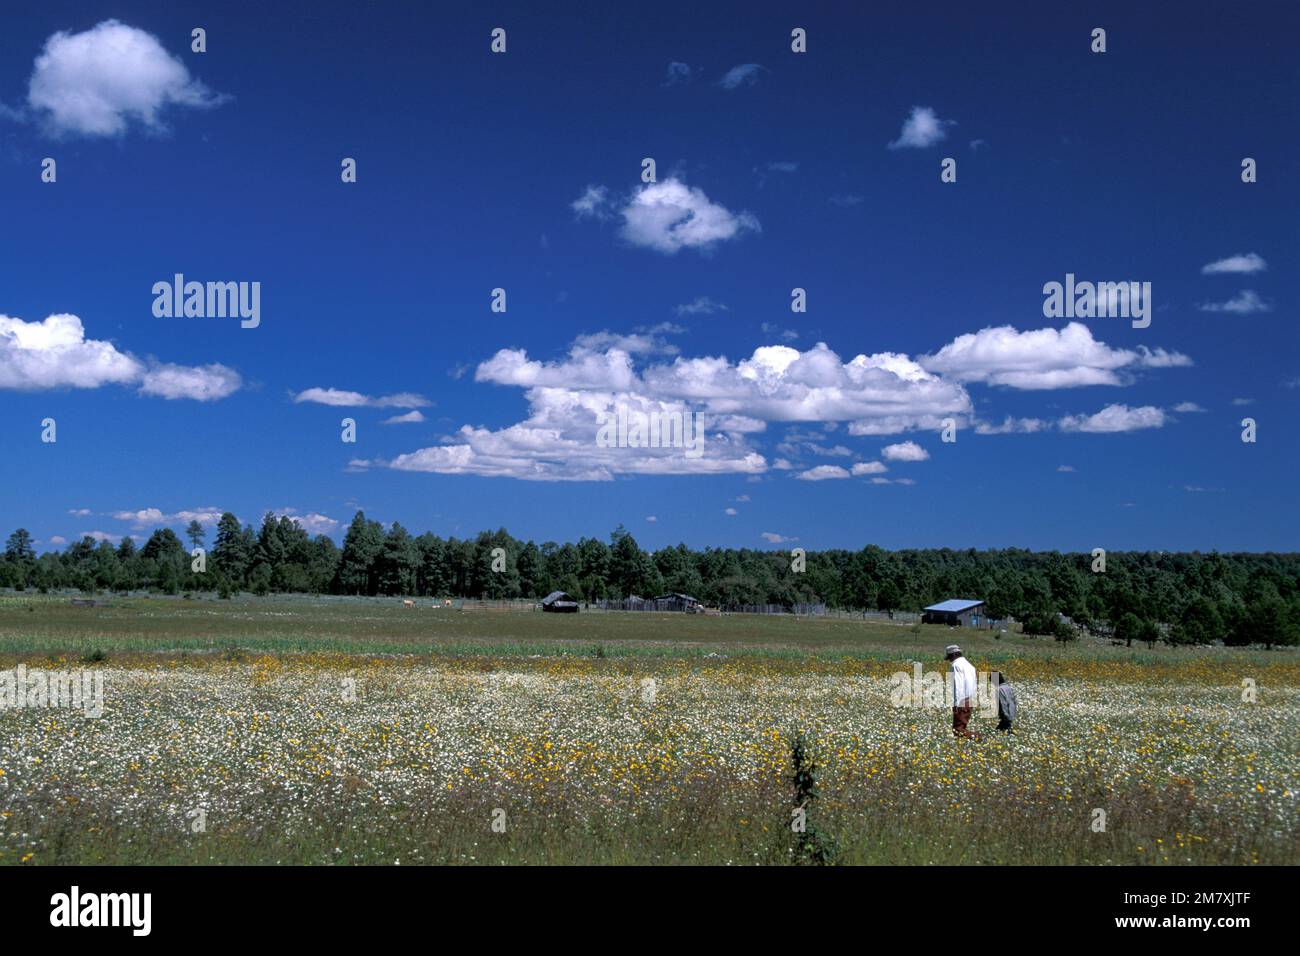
x=304, y=732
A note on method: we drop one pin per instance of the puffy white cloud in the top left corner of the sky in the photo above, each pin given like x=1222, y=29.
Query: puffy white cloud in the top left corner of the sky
x=96, y=84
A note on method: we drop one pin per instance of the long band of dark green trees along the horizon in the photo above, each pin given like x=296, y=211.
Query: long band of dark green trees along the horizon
x=1141, y=596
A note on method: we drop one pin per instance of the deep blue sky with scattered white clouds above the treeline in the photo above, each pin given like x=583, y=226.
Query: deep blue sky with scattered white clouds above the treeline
x=774, y=171
